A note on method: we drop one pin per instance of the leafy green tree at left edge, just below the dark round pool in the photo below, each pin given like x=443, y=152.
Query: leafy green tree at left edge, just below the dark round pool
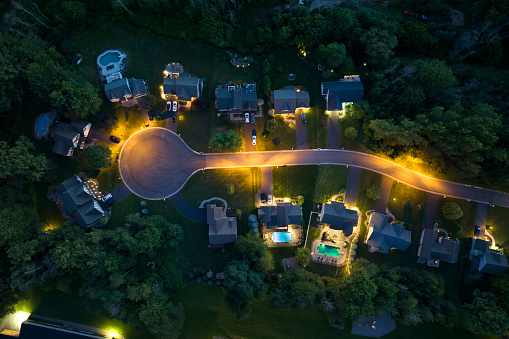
x=18, y=162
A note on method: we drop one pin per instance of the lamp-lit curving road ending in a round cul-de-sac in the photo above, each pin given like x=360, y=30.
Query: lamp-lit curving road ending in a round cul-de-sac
x=165, y=173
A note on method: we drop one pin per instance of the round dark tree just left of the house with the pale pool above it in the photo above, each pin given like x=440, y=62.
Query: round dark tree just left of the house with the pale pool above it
x=76, y=99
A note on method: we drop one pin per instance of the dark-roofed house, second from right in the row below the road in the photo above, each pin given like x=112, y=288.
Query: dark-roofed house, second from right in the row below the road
x=436, y=247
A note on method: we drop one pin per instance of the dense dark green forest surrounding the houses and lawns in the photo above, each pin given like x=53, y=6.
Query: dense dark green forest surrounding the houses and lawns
x=455, y=122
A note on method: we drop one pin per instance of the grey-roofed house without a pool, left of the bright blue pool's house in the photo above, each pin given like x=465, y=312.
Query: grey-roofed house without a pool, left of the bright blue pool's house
x=222, y=229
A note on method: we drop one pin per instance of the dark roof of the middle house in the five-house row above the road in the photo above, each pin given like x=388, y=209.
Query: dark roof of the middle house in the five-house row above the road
x=236, y=100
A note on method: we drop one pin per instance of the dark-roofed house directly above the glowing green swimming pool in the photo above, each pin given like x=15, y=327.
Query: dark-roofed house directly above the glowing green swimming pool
x=338, y=217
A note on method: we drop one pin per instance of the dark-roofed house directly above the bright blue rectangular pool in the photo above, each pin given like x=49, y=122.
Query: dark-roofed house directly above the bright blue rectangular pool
x=280, y=216
